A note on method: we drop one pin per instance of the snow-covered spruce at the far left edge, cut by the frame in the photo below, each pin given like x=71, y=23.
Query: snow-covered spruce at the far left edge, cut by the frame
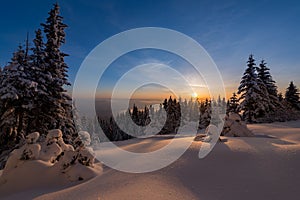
x=16, y=93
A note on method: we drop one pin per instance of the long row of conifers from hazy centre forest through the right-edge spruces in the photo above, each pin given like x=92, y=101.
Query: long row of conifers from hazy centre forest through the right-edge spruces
x=257, y=100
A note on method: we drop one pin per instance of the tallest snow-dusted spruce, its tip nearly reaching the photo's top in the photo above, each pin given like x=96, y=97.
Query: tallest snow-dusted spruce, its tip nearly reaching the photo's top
x=59, y=107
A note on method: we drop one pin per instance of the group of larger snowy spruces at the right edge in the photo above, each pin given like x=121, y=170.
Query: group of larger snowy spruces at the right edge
x=259, y=100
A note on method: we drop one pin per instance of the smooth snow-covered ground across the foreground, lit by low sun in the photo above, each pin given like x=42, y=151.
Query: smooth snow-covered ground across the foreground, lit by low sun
x=240, y=168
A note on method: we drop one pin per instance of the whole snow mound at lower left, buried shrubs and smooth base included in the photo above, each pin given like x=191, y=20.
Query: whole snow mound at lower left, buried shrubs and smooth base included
x=53, y=159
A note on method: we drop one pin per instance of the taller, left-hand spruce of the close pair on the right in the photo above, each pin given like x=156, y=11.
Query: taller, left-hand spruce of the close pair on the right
x=253, y=95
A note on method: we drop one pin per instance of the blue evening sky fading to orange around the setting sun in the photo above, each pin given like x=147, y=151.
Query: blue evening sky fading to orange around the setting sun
x=228, y=30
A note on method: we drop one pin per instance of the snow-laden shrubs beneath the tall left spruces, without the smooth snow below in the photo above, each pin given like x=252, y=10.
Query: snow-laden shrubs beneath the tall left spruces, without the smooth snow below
x=75, y=164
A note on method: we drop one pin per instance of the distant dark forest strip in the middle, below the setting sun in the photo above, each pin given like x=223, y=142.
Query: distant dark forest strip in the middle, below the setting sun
x=166, y=119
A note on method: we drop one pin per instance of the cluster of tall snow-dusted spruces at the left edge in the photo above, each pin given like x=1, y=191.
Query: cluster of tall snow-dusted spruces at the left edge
x=32, y=94
